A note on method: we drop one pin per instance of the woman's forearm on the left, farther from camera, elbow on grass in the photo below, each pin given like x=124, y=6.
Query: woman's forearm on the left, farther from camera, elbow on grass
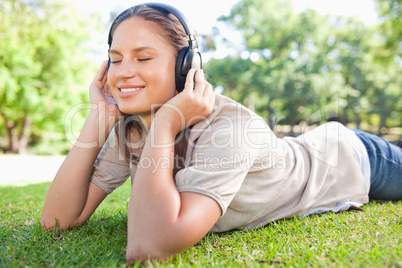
x=68, y=192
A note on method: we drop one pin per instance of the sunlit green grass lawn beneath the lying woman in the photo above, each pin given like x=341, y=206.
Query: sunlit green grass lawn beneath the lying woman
x=369, y=238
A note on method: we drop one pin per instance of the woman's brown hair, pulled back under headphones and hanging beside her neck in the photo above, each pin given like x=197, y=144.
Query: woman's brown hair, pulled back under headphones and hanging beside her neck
x=130, y=131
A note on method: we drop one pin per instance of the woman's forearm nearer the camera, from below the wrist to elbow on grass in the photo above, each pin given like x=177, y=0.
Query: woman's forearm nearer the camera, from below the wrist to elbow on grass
x=155, y=204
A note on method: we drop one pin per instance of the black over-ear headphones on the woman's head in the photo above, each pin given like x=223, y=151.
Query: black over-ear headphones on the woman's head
x=189, y=57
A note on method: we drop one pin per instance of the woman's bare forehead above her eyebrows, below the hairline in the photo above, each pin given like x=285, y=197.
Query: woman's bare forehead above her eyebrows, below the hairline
x=136, y=30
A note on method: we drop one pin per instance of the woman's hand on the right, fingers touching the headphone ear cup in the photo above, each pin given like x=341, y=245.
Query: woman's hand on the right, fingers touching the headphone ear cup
x=190, y=106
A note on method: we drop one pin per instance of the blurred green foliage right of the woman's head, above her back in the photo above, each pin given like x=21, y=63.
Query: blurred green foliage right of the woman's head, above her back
x=302, y=63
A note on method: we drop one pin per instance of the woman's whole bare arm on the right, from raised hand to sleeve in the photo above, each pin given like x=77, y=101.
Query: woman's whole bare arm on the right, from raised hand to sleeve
x=161, y=221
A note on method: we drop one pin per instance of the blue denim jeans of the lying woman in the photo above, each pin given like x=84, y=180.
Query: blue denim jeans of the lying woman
x=385, y=165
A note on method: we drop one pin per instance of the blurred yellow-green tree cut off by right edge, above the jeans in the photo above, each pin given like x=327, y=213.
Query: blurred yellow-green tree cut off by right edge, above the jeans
x=388, y=59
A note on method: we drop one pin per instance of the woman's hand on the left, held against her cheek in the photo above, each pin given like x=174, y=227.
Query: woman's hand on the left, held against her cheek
x=97, y=91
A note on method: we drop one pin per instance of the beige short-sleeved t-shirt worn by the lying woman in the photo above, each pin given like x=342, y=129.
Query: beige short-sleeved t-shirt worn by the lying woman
x=255, y=177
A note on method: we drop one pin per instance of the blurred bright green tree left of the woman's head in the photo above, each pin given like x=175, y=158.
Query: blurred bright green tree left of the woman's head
x=42, y=61
